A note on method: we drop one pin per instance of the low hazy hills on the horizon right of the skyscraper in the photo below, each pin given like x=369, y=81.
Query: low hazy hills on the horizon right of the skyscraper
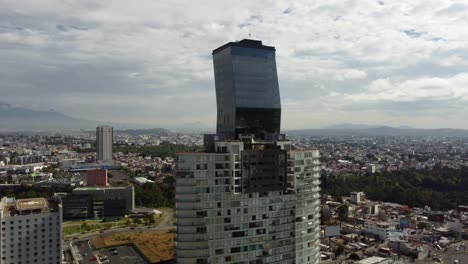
x=381, y=131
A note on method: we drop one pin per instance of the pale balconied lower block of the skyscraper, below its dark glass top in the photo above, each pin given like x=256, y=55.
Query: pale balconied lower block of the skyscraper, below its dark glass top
x=224, y=216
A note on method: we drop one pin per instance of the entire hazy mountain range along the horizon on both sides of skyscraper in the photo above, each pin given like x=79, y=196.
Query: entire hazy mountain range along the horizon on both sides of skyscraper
x=22, y=119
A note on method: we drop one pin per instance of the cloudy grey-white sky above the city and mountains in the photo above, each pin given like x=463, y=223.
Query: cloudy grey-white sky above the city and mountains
x=149, y=62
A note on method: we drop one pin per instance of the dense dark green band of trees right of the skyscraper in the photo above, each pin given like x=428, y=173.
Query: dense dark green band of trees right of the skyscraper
x=440, y=187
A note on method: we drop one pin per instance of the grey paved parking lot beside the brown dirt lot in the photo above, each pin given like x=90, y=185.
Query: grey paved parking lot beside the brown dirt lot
x=121, y=255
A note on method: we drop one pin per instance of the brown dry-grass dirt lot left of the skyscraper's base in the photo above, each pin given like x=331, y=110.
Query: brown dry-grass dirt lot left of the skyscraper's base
x=157, y=246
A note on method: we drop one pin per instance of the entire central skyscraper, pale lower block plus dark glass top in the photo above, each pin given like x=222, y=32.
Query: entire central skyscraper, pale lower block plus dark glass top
x=248, y=198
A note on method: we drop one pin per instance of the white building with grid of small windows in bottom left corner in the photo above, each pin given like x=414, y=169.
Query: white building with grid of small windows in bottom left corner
x=31, y=231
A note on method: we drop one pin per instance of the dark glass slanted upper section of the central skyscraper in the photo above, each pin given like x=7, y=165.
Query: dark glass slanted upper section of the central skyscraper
x=247, y=91
